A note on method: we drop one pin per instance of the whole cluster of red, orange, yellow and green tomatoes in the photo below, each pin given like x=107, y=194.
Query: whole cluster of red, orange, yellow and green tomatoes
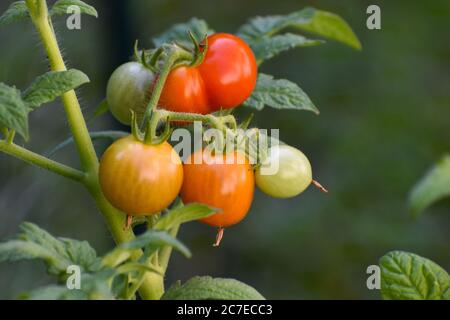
x=143, y=178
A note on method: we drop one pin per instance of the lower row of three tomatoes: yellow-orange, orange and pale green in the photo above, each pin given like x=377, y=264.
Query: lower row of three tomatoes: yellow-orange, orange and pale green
x=142, y=179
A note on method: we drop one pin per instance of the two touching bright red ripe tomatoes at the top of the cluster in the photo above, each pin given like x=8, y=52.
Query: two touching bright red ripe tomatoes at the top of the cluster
x=225, y=78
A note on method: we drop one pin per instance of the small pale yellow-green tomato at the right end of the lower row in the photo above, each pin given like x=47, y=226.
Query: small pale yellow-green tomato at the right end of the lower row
x=289, y=178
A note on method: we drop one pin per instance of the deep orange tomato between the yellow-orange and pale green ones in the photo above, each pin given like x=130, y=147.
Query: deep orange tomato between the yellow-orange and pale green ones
x=226, y=186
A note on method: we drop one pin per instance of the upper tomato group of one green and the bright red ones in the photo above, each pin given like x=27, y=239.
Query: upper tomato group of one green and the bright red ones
x=224, y=79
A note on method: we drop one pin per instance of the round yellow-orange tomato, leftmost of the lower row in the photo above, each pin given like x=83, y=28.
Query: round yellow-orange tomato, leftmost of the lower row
x=140, y=179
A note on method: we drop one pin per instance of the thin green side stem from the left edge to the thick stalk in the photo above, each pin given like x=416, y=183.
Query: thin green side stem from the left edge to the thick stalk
x=41, y=161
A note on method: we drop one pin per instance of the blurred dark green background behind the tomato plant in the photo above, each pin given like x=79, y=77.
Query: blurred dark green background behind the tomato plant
x=384, y=120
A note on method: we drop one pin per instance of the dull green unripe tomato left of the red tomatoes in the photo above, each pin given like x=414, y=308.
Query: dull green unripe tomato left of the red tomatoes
x=128, y=89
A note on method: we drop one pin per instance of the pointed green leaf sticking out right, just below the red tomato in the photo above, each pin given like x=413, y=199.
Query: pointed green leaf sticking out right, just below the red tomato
x=279, y=94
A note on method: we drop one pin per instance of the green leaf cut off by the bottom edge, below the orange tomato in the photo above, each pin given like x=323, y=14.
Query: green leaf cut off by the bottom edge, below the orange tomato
x=208, y=288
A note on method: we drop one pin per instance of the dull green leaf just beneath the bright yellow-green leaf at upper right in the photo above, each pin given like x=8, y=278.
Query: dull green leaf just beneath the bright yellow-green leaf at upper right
x=267, y=47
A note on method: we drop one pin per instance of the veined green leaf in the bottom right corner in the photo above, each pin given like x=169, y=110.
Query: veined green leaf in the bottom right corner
x=406, y=276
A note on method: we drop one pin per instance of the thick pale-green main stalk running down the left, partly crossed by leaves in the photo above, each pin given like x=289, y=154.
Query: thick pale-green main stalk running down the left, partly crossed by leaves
x=152, y=287
